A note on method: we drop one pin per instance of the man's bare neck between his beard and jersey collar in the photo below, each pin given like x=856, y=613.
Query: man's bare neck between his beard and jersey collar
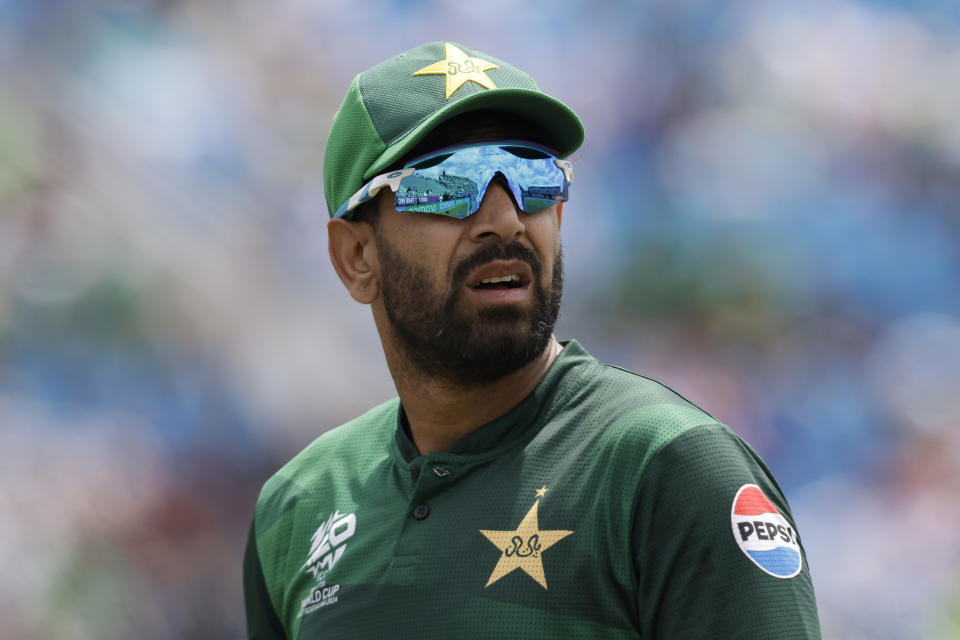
x=441, y=412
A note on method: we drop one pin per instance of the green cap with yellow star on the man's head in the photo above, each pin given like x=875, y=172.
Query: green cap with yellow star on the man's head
x=389, y=108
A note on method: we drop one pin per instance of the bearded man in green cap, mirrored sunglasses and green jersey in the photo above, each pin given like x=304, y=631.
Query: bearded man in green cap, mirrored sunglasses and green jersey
x=517, y=487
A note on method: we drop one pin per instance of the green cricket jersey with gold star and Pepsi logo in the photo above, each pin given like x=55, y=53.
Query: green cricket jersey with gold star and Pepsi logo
x=603, y=505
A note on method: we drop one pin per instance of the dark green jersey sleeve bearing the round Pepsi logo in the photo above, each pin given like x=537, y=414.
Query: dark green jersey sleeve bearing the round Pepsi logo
x=698, y=575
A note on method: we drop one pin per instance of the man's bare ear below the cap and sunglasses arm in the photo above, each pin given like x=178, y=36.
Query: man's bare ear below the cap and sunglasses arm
x=354, y=256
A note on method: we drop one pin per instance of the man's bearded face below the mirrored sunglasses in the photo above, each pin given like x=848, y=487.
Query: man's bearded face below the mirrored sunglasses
x=470, y=300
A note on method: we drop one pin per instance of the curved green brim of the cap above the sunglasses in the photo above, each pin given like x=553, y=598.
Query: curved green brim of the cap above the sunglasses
x=560, y=124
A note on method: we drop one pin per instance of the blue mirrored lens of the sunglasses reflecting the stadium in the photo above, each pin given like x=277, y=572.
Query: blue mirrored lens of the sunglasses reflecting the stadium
x=453, y=183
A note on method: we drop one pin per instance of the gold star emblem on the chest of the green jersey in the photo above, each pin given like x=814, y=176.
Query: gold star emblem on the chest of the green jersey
x=523, y=547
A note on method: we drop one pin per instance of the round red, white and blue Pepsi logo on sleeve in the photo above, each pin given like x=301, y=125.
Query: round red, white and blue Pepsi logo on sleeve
x=763, y=534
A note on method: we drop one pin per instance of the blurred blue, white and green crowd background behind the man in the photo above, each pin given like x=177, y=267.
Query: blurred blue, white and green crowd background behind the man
x=765, y=217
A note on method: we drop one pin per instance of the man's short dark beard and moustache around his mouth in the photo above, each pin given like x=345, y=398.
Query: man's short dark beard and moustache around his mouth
x=444, y=340
